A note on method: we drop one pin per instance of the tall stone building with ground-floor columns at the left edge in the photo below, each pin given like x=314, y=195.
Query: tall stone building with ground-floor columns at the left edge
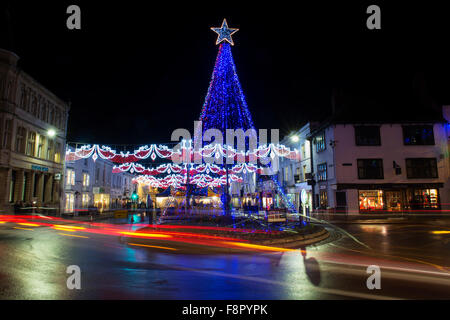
x=33, y=123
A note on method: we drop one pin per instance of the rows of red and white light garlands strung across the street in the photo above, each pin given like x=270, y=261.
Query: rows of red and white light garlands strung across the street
x=176, y=174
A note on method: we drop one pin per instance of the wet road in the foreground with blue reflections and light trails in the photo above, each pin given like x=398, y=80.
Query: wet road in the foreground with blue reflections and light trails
x=34, y=261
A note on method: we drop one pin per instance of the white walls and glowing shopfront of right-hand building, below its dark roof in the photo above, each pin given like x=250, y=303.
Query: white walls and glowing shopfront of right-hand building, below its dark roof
x=380, y=167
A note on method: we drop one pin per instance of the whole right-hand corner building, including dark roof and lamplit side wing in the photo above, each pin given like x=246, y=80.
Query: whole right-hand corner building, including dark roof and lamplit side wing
x=356, y=166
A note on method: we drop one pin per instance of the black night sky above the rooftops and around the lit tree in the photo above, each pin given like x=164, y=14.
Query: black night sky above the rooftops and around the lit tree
x=136, y=72
